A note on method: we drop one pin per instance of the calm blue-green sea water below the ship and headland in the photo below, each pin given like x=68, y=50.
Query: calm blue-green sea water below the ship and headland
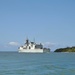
x=14, y=63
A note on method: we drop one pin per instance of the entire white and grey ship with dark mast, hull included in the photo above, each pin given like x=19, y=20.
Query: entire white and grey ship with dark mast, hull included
x=32, y=47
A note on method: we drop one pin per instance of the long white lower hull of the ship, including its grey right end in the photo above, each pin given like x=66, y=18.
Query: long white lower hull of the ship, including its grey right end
x=34, y=51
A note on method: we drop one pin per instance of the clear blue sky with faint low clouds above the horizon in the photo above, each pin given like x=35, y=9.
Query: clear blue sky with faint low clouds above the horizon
x=51, y=22
